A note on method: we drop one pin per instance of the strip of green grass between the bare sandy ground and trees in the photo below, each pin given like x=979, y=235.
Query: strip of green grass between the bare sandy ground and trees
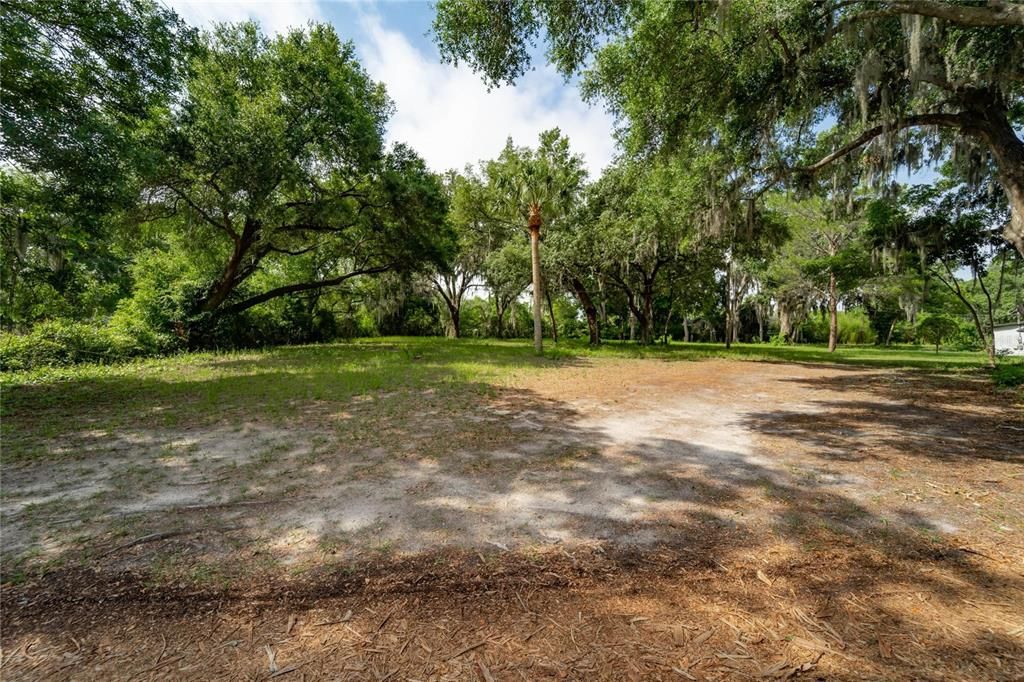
x=45, y=408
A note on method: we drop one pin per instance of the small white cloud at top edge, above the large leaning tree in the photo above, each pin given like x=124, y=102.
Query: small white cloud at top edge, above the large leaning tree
x=274, y=16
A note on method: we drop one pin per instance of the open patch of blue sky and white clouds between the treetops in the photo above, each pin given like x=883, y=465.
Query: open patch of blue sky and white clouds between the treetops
x=447, y=114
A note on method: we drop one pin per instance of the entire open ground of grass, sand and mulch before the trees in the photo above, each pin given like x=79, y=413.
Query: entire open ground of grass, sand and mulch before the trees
x=436, y=510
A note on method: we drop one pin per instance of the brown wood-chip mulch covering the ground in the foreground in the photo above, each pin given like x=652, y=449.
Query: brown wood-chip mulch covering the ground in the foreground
x=666, y=613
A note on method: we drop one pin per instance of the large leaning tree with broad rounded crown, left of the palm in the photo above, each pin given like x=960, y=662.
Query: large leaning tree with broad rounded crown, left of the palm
x=276, y=154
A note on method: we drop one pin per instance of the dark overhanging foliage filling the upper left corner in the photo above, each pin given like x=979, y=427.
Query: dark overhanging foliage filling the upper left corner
x=80, y=78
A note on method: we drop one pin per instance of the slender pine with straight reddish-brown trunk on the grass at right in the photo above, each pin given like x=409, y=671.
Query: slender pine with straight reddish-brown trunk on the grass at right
x=824, y=247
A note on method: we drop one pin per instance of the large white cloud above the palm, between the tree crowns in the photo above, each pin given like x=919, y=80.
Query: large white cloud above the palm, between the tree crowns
x=448, y=116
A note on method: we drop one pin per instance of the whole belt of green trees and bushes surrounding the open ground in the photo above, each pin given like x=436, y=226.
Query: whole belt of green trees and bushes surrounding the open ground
x=170, y=189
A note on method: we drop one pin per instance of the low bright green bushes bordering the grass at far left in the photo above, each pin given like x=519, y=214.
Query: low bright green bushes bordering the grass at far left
x=57, y=344
